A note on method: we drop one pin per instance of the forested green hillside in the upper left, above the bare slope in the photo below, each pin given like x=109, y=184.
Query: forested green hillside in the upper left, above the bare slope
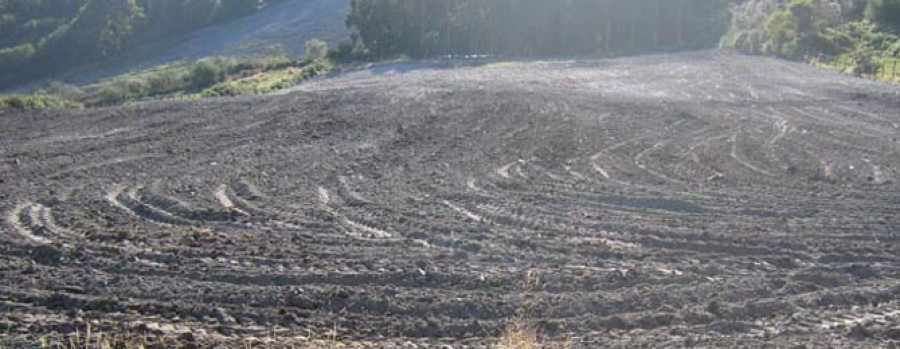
x=43, y=37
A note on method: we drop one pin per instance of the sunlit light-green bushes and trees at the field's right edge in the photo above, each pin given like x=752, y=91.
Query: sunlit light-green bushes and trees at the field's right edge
x=856, y=37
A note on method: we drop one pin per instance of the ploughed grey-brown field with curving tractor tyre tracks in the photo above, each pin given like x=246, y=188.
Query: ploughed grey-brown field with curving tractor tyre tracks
x=700, y=198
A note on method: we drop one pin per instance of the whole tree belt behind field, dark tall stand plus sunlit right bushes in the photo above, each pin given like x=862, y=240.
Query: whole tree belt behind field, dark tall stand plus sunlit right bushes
x=858, y=36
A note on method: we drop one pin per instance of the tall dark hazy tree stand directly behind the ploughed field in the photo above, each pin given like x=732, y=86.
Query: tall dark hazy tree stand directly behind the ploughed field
x=425, y=28
